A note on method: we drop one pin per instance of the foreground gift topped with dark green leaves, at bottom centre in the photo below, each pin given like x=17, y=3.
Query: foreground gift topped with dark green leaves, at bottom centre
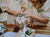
x=29, y=33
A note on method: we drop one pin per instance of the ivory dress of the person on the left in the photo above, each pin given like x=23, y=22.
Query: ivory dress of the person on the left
x=14, y=5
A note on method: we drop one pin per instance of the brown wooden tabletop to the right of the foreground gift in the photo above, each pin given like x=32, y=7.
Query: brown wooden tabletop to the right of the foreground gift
x=42, y=30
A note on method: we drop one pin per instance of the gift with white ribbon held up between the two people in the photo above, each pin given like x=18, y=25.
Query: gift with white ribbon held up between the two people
x=21, y=21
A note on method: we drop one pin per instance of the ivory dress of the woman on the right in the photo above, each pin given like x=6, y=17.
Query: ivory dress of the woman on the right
x=45, y=13
